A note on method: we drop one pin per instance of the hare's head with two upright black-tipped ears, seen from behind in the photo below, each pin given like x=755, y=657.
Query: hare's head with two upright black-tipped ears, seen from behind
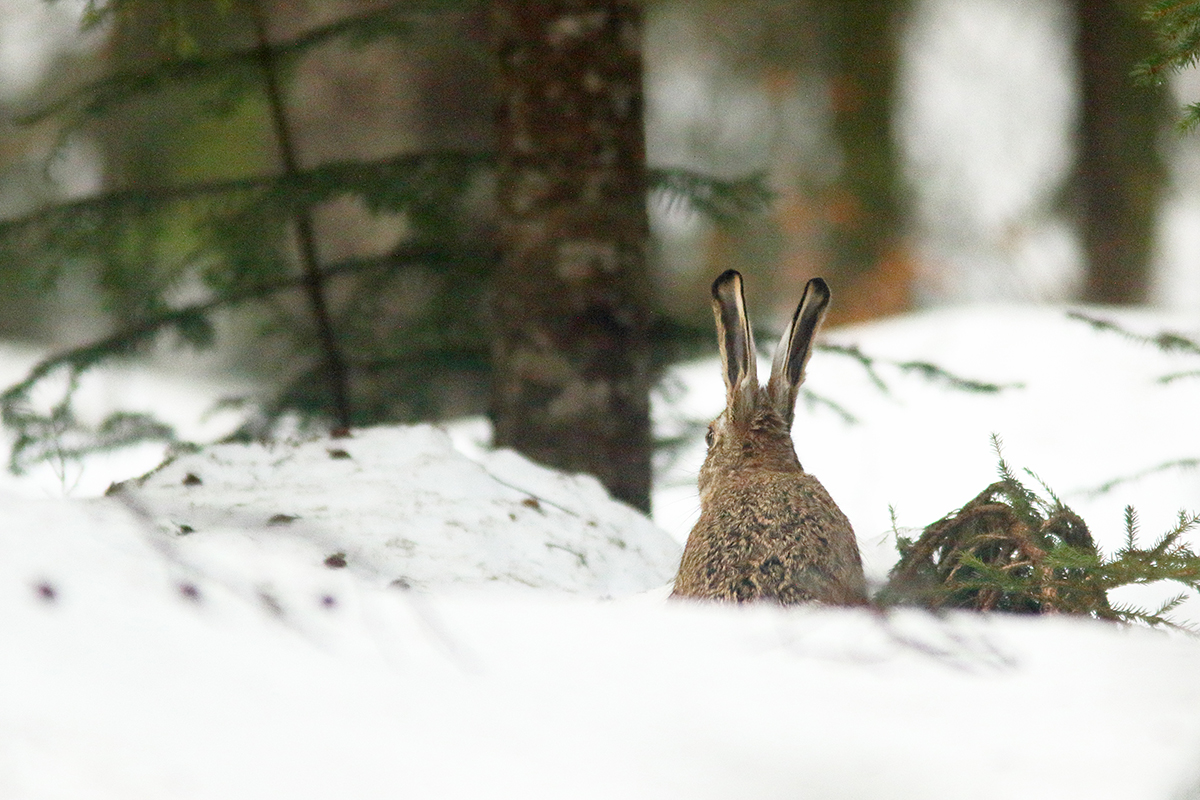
x=754, y=431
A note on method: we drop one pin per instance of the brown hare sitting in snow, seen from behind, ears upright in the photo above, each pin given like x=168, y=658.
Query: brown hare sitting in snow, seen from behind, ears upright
x=767, y=530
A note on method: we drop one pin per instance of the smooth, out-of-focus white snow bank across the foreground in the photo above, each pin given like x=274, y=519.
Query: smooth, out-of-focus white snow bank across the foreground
x=133, y=671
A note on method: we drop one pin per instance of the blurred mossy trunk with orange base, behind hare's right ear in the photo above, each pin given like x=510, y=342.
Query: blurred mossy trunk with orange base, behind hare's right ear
x=865, y=210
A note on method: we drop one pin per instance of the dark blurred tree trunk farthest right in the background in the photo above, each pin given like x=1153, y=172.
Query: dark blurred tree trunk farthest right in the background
x=1120, y=171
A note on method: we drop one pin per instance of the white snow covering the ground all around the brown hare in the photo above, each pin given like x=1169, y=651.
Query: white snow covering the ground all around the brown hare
x=502, y=630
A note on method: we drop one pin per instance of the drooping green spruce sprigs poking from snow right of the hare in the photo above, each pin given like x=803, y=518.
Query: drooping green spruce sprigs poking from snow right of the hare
x=1015, y=550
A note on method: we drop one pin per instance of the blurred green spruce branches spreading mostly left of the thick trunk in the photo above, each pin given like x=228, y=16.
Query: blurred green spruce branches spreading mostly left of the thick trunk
x=172, y=258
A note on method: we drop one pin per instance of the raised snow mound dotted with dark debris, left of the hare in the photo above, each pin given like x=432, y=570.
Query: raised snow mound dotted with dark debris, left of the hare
x=403, y=506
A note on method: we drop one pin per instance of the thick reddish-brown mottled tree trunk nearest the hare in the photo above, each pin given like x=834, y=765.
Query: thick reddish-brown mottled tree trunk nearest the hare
x=572, y=357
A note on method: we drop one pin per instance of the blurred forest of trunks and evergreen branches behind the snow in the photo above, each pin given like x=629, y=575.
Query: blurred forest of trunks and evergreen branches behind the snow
x=298, y=188
